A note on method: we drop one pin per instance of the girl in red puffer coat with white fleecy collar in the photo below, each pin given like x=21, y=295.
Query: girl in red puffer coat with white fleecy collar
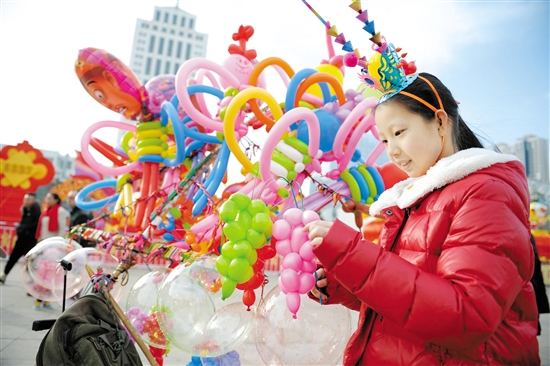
x=449, y=282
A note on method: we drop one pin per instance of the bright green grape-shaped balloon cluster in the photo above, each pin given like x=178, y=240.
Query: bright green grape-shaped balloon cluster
x=248, y=227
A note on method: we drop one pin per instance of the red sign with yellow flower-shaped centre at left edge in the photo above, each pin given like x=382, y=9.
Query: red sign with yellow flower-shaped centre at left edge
x=22, y=170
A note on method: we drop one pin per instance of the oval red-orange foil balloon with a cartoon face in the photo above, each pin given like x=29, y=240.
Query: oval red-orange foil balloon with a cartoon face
x=110, y=82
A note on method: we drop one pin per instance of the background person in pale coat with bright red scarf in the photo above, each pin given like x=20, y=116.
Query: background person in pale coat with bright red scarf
x=54, y=221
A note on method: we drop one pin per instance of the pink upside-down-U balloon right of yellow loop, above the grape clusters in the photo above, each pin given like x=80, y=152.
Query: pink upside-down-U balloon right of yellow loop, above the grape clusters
x=277, y=132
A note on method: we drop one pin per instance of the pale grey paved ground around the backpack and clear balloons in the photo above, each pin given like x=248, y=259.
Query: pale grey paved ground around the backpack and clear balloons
x=19, y=344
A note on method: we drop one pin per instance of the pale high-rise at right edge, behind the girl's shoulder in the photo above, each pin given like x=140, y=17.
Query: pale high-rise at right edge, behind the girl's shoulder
x=533, y=153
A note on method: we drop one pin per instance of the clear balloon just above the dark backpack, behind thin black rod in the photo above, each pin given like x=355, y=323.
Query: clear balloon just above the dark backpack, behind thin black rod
x=78, y=277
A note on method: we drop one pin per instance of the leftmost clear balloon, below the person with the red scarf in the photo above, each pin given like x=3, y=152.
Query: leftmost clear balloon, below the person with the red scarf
x=41, y=263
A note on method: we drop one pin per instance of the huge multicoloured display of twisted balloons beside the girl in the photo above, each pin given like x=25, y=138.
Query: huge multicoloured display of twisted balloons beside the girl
x=170, y=165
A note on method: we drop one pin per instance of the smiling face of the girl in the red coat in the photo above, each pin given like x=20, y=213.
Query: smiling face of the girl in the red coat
x=411, y=143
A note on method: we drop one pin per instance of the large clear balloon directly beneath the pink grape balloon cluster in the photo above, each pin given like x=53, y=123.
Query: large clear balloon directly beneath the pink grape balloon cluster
x=317, y=337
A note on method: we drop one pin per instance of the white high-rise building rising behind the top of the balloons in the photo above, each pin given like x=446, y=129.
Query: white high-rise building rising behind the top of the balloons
x=164, y=43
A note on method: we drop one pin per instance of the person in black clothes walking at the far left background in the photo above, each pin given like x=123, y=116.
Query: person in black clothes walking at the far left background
x=26, y=230
